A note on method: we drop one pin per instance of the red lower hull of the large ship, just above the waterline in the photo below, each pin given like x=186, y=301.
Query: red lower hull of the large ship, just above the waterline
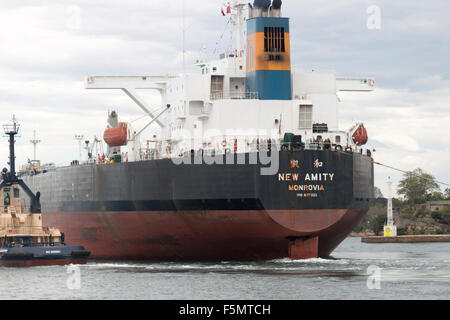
x=206, y=235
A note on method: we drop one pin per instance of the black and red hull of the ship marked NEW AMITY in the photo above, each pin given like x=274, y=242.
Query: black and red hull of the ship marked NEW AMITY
x=90, y=203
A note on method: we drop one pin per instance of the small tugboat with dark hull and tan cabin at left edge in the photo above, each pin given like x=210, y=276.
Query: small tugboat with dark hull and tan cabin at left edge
x=24, y=241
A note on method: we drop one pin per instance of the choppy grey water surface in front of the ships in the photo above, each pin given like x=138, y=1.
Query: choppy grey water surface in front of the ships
x=407, y=271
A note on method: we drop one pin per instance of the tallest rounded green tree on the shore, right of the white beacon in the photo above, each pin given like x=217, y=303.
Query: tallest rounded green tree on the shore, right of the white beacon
x=417, y=186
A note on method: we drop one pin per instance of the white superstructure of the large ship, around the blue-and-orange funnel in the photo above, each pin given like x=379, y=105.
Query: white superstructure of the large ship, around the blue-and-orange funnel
x=214, y=110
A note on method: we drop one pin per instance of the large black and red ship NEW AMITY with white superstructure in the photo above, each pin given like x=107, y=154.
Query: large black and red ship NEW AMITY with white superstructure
x=248, y=162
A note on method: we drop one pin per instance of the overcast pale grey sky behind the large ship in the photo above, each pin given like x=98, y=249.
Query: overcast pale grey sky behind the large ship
x=47, y=48
